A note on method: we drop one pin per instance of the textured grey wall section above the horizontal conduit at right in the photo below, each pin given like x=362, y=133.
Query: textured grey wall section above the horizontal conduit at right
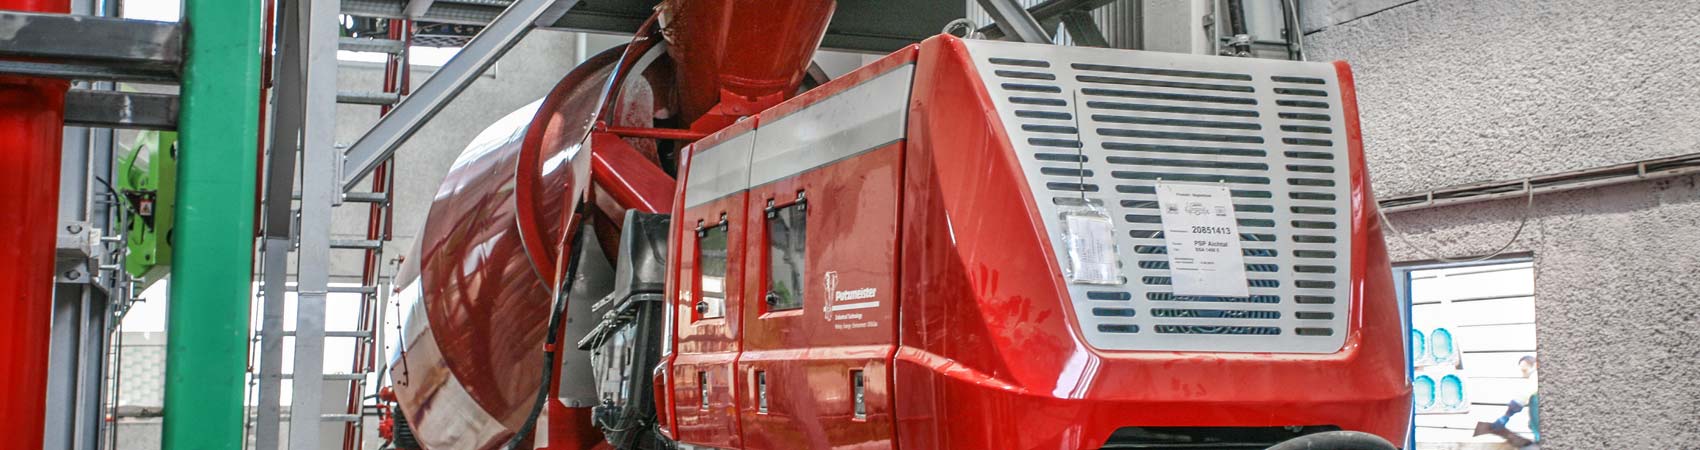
x=1458, y=93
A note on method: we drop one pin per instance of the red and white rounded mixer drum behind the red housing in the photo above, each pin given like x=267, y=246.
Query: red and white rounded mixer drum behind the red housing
x=470, y=364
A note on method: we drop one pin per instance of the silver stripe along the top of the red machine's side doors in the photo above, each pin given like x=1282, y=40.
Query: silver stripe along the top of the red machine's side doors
x=841, y=127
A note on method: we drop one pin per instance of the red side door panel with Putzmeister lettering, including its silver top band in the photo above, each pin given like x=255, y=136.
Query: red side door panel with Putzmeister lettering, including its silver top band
x=822, y=271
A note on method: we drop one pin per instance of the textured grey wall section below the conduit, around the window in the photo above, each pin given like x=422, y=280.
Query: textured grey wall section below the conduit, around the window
x=1618, y=278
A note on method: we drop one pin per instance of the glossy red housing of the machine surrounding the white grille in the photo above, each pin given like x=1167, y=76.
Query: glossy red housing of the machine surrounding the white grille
x=973, y=342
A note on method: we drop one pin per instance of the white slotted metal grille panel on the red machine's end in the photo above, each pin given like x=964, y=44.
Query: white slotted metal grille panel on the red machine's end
x=1104, y=127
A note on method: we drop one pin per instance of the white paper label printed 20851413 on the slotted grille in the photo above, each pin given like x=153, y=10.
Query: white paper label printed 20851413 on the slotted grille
x=1203, y=240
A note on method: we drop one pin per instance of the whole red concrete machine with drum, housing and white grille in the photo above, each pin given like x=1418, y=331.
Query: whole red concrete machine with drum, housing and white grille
x=694, y=244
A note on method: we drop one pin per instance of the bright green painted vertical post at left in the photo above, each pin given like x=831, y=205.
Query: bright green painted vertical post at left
x=213, y=266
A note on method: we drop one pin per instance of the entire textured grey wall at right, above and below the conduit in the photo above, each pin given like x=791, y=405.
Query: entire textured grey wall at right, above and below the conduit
x=1459, y=93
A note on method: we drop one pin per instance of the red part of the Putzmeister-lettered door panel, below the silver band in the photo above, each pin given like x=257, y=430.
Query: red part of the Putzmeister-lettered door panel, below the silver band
x=820, y=312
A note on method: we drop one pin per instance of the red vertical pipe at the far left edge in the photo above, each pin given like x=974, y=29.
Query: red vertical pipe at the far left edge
x=31, y=120
